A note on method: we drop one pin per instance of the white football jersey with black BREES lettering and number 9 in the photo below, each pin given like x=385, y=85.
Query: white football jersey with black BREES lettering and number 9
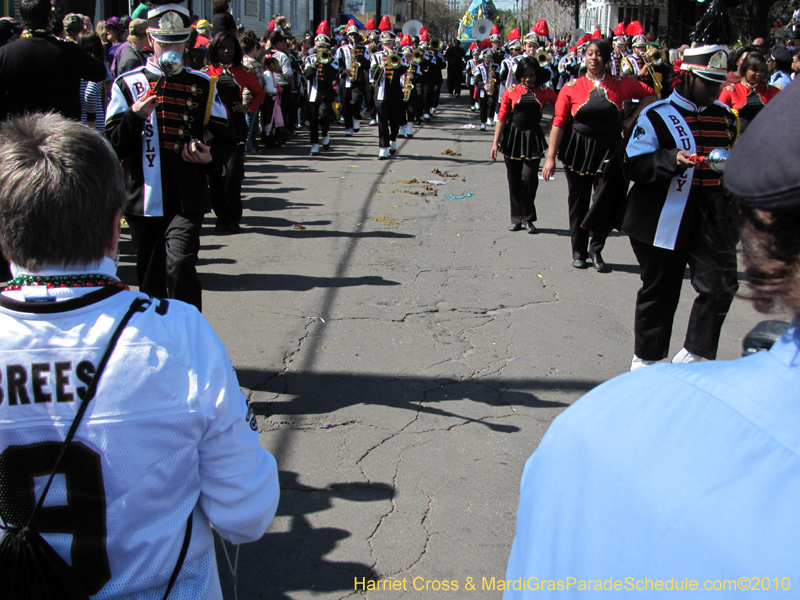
x=168, y=432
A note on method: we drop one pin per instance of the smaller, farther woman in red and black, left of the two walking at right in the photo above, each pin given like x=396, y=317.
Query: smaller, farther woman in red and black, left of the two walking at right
x=518, y=136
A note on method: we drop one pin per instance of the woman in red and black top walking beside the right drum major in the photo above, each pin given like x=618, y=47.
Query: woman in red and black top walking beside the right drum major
x=586, y=133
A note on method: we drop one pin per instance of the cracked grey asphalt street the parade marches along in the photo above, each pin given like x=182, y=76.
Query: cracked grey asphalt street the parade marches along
x=405, y=353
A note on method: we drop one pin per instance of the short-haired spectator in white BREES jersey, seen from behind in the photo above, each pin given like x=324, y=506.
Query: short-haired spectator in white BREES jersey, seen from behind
x=167, y=446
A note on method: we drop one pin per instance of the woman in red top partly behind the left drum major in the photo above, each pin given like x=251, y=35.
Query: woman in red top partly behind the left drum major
x=225, y=63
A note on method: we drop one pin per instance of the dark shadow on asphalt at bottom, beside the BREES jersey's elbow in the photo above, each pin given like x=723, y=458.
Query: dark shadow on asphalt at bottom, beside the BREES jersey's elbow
x=295, y=560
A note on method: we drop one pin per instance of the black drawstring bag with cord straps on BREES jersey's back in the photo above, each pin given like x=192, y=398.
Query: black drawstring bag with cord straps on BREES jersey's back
x=31, y=569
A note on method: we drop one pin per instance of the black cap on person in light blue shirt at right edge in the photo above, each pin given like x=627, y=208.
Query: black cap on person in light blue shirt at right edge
x=762, y=168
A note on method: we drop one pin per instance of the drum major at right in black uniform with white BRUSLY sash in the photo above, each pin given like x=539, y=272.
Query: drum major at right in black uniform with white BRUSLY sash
x=673, y=208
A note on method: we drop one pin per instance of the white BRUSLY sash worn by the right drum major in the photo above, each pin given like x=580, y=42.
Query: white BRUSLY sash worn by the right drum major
x=670, y=220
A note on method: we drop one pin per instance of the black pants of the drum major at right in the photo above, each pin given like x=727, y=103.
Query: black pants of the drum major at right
x=713, y=276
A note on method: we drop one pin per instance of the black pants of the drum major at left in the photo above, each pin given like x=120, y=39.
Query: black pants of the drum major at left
x=166, y=256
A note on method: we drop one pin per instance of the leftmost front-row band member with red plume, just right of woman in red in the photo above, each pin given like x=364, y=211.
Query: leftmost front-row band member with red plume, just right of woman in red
x=320, y=77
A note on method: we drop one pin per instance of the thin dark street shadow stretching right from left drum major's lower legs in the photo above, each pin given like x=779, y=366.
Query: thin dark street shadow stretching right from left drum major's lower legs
x=219, y=282
